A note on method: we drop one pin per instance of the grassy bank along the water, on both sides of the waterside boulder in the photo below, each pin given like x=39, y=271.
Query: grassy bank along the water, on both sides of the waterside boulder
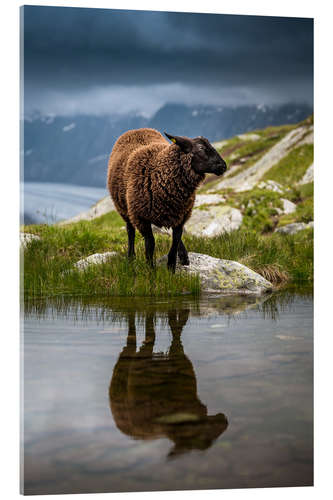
x=48, y=263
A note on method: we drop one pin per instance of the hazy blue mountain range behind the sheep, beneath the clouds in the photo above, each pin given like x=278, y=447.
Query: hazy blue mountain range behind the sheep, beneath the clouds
x=75, y=149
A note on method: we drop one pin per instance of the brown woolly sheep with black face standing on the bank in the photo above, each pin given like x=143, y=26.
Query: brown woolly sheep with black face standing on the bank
x=153, y=182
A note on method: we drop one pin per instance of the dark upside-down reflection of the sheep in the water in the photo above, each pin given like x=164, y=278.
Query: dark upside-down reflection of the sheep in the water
x=155, y=395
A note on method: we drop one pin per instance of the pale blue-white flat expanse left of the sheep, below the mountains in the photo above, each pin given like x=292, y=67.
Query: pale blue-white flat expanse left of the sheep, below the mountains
x=46, y=202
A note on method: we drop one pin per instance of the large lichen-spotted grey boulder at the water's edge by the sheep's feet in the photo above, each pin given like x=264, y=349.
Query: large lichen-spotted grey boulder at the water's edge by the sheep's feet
x=224, y=276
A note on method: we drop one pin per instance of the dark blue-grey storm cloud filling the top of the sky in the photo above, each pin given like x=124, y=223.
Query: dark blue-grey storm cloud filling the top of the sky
x=73, y=50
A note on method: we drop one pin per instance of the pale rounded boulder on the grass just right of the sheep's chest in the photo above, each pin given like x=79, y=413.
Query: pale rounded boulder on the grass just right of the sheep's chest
x=213, y=221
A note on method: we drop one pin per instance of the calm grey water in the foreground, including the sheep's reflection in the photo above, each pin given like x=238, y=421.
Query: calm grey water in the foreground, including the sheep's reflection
x=146, y=394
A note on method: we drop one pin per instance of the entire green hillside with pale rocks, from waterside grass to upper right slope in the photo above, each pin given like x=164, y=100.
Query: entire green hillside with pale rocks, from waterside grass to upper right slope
x=259, y=214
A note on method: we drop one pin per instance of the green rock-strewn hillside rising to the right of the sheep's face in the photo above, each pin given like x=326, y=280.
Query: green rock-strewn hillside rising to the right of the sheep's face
x=270, y=176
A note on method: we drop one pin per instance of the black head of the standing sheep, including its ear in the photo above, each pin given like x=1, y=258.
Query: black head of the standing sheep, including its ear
x=206, y=160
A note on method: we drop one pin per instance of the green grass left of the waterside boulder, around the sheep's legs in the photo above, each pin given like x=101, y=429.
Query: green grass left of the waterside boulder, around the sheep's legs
x=48, y=263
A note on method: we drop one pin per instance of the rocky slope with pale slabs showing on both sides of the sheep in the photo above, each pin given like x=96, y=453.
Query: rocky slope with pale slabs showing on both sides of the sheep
x=268, y=185
